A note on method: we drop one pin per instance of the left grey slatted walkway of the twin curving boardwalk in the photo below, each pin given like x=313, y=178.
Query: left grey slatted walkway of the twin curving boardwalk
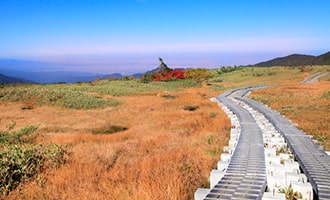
x=245, y=176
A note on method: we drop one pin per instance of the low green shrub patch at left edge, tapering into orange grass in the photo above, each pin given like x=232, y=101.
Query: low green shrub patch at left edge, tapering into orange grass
x=55, y=95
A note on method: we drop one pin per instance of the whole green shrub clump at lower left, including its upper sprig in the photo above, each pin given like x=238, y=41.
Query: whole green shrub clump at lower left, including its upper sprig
x=20, y=161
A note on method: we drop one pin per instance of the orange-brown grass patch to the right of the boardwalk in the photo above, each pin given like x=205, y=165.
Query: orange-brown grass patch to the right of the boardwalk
x=306, y=105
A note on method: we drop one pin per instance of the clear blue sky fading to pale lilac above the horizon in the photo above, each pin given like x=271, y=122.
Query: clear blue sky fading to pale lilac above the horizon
x=89, y=30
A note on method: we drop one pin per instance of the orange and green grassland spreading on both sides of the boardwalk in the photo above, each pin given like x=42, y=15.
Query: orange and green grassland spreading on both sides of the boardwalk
x=124, y=139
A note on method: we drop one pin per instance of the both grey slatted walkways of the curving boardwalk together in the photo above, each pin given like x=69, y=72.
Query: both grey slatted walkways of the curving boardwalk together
x=245, y=176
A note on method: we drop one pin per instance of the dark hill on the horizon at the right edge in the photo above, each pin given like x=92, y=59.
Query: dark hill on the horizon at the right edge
x=297, y=60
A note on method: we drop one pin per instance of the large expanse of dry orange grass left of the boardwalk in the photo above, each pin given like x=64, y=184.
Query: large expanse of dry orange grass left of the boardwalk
x=166, y=153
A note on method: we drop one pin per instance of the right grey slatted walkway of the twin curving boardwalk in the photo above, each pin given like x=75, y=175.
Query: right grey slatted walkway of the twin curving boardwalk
x=314, y=162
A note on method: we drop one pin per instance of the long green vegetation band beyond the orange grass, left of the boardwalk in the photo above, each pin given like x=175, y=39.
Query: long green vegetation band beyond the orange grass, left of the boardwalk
x=78, y=96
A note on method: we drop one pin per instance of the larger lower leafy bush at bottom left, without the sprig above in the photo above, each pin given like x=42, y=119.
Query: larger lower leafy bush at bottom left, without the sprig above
x=22, y=162
